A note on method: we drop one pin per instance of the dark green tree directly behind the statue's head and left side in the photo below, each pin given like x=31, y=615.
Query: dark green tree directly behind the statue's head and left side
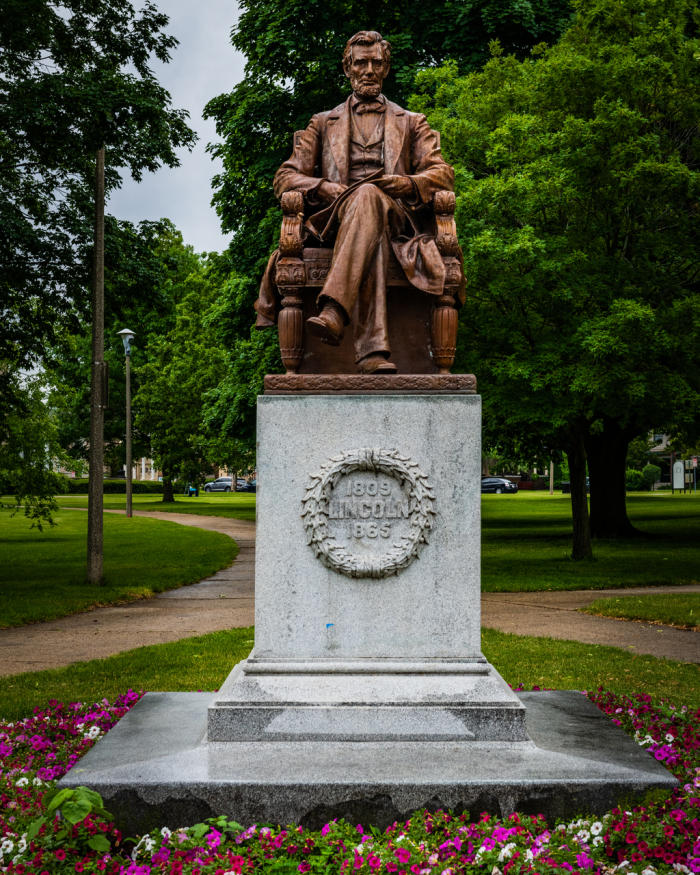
x=293, y=69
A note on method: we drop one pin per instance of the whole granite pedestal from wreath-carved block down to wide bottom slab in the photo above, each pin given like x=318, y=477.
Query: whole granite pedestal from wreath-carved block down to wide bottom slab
x=366, y=695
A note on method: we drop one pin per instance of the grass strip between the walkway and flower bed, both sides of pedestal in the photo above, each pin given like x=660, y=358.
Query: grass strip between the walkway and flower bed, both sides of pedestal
x=202, y=663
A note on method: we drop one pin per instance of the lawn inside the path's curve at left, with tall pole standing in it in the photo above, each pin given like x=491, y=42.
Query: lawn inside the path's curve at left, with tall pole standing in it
x=42, y=574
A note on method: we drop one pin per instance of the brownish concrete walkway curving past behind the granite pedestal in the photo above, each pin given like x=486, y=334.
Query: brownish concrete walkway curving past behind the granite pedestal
x=226, y=600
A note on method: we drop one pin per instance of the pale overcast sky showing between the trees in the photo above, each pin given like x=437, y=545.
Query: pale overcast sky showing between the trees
x=202, y=66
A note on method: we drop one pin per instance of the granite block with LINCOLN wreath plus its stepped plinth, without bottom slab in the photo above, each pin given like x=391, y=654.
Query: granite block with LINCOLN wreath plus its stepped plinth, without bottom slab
x=367, y=595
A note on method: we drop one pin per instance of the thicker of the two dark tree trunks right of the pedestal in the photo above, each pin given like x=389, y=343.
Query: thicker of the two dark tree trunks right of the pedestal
x=607, y=463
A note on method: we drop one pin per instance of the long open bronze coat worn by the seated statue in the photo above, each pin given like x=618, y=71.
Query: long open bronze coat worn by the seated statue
x=411, y=148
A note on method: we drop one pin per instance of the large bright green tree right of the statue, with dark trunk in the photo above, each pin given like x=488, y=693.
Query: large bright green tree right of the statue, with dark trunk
x=578, y=183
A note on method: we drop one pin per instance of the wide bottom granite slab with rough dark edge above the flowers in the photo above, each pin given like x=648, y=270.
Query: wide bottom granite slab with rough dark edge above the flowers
x=156, y=768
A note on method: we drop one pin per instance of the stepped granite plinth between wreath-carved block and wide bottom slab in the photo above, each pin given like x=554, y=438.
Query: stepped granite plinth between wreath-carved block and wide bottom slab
x=365, y=700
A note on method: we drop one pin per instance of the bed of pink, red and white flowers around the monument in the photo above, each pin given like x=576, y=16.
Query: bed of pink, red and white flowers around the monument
x=662, y=836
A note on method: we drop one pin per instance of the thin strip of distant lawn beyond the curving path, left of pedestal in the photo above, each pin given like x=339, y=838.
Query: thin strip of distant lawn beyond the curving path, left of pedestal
x=235, y=505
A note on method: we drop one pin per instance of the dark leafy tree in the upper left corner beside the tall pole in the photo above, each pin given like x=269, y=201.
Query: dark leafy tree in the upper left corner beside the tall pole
x=75, y=81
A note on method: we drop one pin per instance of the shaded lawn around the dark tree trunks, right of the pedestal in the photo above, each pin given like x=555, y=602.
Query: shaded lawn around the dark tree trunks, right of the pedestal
x=527, y=540
